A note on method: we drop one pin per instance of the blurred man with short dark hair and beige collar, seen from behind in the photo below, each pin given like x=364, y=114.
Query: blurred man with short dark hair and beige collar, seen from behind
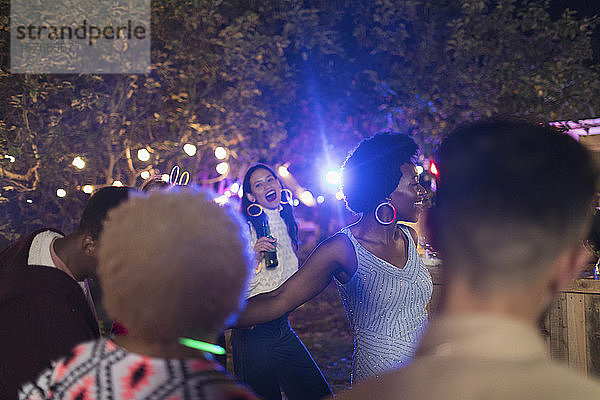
x=513, y=205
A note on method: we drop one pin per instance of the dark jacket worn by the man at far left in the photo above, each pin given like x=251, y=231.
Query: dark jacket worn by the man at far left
x=43, y=315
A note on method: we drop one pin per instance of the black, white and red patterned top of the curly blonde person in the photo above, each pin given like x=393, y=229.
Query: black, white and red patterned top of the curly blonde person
x=101, y=370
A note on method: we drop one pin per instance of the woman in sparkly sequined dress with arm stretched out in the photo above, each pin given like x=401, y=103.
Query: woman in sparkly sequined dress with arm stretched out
x=383, y=283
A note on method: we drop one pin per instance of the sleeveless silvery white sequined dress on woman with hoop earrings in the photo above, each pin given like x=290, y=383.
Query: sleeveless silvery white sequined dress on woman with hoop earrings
x=386, y=307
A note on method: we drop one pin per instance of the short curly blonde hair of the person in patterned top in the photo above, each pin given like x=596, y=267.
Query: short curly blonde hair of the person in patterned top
x=172, y=264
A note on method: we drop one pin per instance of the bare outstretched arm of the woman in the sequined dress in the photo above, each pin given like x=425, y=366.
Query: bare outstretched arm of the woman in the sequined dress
x=332, y=255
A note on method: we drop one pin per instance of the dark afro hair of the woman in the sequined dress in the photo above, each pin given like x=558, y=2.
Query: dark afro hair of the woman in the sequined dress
x=373, y=170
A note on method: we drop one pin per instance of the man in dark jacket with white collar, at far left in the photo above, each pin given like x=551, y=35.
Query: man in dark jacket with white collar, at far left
x=43, y=310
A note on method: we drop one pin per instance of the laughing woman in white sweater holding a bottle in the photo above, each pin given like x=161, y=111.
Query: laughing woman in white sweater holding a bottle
x=269, y=357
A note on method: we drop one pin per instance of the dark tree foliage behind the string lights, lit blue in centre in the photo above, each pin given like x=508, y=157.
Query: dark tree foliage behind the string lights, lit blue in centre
x=285, y=81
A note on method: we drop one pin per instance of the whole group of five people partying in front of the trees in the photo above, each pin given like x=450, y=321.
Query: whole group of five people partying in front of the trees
x=513, y=206
